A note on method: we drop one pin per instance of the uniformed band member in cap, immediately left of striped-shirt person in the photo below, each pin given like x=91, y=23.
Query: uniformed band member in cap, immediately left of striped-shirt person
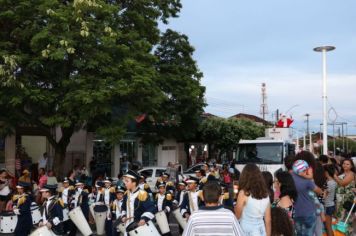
x=192, y=198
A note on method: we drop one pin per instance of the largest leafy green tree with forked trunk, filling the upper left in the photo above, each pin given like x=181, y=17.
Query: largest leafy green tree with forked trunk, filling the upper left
x=87, y=63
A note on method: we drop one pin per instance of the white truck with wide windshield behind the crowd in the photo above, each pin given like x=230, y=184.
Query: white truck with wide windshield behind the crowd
x=267, y=152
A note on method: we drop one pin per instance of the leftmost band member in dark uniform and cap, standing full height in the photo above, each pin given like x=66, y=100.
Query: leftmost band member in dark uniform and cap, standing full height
x=22, y=208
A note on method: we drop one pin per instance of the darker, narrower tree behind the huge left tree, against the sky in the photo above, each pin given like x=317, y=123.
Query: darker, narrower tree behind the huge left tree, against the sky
x=183, y=101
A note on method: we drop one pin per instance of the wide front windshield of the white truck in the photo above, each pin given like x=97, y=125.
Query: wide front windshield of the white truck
x=261, y=153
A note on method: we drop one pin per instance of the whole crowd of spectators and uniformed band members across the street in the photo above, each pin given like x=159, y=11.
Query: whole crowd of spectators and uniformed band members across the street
x=303, y=199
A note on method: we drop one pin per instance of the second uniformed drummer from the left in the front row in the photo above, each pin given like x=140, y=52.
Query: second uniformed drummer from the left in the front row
x=52, y=212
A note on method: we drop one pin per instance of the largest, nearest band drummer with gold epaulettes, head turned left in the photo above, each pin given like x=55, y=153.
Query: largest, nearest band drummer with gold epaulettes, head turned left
x=136, y=206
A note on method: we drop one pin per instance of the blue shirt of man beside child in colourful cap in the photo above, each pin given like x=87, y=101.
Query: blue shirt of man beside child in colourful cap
x=304, y=206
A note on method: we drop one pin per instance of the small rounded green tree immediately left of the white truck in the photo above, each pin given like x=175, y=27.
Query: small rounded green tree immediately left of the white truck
x=223, y=135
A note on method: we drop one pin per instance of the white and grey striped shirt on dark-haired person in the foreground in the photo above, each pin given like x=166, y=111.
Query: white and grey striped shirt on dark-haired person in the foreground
x=213, y=221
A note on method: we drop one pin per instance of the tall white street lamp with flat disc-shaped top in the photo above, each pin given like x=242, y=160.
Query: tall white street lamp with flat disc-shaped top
x=323, y=50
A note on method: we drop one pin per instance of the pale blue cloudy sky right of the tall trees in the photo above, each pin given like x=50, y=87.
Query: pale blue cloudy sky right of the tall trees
x=240, y=44
